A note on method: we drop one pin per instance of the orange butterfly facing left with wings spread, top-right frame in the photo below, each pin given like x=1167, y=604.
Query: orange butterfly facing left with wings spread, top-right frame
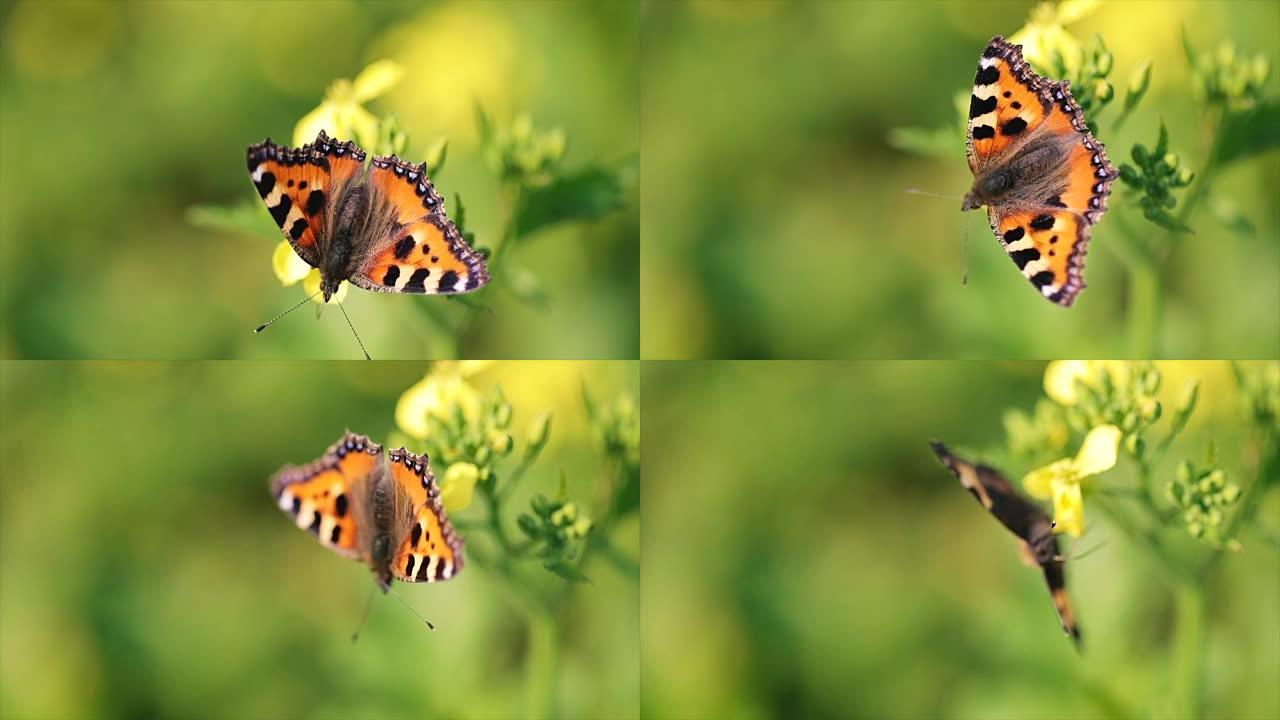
x=1041, y=174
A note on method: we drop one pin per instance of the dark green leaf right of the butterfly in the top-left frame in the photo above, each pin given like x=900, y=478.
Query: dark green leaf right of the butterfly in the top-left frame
x=586, y=195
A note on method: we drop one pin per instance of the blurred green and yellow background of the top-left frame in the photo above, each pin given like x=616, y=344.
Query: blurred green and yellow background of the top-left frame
x=116, y=119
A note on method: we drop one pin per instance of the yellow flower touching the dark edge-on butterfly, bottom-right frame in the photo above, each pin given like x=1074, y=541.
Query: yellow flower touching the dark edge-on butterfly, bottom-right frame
x=1062, y=481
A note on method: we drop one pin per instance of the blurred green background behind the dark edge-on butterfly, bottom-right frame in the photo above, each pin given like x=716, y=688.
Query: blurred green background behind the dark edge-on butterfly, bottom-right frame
x=808, y=557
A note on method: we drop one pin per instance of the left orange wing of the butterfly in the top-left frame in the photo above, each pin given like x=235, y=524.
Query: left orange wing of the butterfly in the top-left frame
x=296, y=186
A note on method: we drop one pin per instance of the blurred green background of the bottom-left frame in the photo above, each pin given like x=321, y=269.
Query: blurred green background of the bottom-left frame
x=147, y=572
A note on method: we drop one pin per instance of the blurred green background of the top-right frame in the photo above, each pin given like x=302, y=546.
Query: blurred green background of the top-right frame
x=776, y=222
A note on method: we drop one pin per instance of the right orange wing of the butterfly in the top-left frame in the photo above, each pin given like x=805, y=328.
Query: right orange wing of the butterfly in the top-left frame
x=424, y=253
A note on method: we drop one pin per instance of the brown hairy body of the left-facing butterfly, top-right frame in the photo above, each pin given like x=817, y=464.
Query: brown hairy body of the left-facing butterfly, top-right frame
x=1027, y=177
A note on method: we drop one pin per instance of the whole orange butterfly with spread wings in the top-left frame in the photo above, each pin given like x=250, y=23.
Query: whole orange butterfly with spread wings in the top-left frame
x=382, y=227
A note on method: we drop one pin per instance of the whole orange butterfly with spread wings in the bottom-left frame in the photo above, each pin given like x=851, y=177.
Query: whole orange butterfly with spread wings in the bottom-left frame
x=382, y=509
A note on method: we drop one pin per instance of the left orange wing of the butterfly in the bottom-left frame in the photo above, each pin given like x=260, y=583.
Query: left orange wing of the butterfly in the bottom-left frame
x=319, y=496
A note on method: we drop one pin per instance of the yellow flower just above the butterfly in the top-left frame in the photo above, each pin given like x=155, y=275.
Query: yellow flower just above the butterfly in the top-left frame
x=342, y=115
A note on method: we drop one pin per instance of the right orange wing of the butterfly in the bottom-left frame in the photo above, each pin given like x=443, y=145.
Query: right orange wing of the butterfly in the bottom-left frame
x=429, y=550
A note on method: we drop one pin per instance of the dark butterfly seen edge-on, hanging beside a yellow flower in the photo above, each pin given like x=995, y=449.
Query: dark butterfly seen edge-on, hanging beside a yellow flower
x=1025, y=520
